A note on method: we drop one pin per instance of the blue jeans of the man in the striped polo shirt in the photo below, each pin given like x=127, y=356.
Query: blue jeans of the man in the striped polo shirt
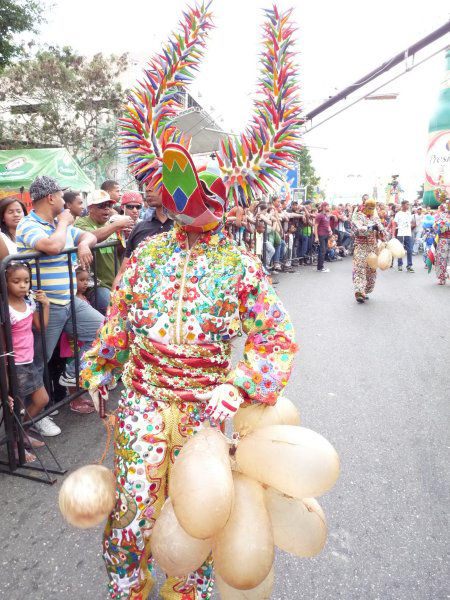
x=88, y=321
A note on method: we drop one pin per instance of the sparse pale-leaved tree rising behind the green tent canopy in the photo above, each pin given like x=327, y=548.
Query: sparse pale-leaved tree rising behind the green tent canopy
x=59, y=98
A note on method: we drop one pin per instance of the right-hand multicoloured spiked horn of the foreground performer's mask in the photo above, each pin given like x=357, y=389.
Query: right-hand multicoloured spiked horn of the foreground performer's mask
x=254, y=161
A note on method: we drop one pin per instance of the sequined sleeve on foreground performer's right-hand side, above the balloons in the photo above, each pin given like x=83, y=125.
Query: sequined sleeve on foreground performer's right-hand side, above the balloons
x=270, y=348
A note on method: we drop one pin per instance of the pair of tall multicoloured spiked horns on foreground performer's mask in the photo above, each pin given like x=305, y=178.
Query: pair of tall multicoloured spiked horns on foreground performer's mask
x=250, y=164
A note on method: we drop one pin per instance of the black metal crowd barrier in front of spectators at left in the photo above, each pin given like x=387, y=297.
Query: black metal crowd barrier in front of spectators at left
x=15, y=433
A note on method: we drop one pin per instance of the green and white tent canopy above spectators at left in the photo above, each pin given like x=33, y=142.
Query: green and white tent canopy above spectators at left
x=18, y=168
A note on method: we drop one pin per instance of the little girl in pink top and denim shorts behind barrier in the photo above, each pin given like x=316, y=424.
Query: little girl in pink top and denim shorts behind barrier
x=23, y=316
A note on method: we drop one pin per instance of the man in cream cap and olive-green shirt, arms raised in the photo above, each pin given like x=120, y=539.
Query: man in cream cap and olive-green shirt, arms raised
x=99, y=207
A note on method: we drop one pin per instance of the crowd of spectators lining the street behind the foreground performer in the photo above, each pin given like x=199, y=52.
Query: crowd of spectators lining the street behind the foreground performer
x=287, y=236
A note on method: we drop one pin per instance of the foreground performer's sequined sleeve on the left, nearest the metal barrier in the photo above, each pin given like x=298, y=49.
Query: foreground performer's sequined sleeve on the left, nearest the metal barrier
x=103, y=362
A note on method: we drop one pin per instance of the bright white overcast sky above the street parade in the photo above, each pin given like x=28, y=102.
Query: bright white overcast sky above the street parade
x=338, y=42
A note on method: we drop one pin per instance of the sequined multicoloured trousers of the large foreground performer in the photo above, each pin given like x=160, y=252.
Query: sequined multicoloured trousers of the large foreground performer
x=149, y=434
